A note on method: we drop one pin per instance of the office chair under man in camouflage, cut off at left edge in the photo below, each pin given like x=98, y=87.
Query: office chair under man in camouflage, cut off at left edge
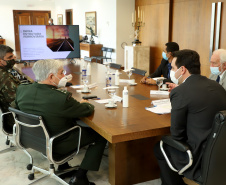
x=7, y=129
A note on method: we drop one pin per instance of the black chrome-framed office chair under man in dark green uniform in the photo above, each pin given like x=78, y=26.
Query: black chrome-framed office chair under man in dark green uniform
x=31, y=133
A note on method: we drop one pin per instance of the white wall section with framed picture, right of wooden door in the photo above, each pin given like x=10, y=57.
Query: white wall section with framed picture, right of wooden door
x=105, y=16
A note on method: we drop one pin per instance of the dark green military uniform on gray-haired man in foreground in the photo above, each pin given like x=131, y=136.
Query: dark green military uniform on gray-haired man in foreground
x=57, y=108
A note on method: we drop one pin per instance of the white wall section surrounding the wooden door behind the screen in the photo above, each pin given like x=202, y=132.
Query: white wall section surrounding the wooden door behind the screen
x=6, y=15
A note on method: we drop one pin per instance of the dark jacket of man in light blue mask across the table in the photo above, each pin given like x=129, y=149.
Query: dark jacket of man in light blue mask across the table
x=162, y=70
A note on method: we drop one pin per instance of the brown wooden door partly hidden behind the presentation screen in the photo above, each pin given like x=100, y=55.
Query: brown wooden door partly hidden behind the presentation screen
x=27, y=17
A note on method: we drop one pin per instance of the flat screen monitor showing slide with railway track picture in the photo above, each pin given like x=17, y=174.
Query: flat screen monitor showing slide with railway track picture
x=49, y=42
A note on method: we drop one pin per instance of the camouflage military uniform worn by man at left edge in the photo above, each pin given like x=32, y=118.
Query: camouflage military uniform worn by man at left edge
x=8, y=86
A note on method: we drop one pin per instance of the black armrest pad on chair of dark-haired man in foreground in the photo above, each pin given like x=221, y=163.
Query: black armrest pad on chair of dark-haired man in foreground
x=181, y=146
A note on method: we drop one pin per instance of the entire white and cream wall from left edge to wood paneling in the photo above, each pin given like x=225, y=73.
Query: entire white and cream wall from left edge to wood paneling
x=113, y=19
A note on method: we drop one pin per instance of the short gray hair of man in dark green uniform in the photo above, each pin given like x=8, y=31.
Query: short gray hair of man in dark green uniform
x=42, y=68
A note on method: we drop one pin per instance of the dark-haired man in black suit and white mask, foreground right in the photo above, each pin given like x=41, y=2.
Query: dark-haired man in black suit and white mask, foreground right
x=194, y=103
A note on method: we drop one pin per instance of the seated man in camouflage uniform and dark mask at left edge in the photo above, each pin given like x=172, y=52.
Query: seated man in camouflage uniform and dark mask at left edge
x=8, y=83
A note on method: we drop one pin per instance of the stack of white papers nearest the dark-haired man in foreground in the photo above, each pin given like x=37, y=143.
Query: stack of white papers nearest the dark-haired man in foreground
x=160, y=106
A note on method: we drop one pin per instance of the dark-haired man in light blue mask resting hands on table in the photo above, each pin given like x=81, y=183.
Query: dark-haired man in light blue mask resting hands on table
x=165, y=66
